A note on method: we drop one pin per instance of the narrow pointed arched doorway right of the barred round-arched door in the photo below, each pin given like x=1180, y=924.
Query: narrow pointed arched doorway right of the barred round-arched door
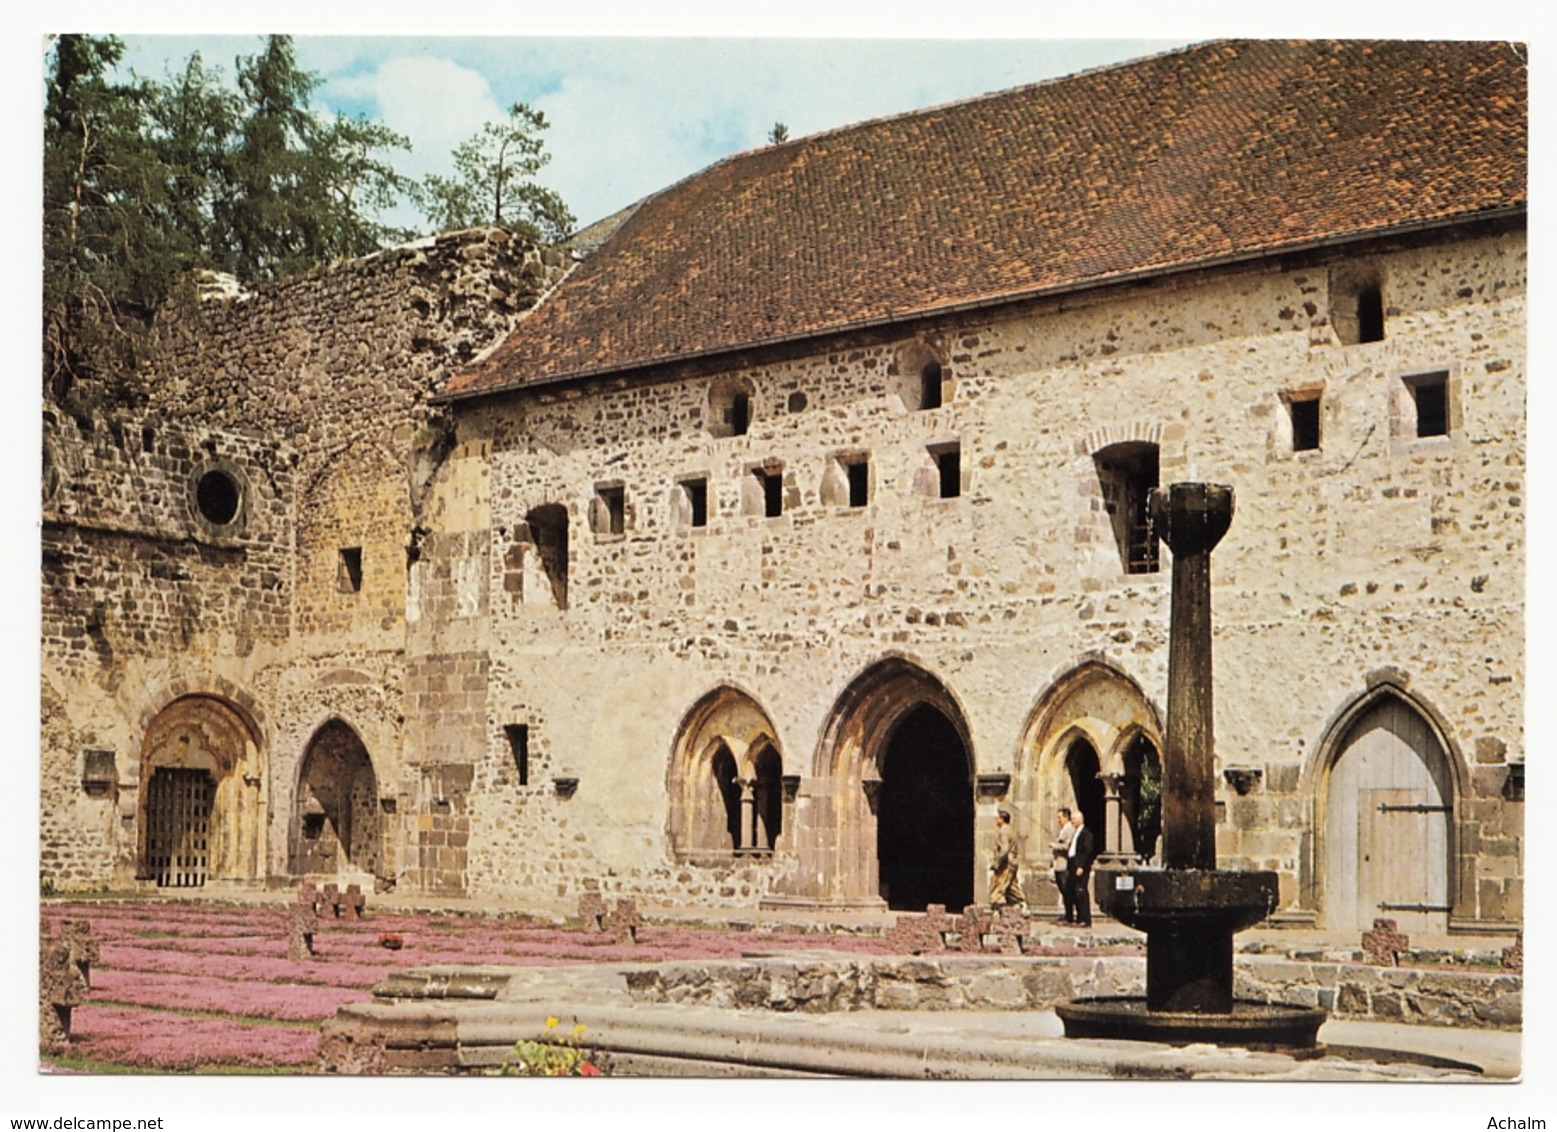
x=336, y=814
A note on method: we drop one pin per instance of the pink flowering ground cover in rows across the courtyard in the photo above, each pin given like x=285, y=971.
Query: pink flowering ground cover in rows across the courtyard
x=191, y=988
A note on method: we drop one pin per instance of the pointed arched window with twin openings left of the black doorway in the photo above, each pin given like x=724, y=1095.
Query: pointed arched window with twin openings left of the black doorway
x=723, y=781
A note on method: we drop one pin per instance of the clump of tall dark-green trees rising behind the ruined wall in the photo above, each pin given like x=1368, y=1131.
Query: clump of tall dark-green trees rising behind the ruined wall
x=146, y=181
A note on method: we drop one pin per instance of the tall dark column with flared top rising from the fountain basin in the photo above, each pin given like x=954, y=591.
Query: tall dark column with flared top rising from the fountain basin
x=1192, y=519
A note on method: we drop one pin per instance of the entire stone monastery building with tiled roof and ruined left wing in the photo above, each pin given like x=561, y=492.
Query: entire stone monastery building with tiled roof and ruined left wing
x=751, y=549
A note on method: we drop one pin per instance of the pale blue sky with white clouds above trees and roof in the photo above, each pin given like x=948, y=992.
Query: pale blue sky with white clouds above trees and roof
x=633, y=116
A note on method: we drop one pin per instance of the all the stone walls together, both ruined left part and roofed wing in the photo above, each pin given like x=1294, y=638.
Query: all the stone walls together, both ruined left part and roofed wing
x=519, y=603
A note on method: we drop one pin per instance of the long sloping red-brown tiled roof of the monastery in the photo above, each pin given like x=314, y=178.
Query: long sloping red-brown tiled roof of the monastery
x=1215, y=152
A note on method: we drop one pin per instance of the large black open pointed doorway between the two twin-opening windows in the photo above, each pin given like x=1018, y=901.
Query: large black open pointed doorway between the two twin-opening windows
x=926, y=815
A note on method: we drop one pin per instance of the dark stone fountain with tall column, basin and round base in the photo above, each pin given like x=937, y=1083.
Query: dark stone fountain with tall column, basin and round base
x=1189, y=909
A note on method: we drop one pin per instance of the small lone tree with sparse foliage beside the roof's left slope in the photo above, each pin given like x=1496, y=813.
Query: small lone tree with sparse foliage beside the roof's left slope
x=494, y=186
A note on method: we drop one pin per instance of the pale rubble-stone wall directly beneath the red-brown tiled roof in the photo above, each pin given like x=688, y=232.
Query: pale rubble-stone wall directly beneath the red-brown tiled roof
x=1376, y=554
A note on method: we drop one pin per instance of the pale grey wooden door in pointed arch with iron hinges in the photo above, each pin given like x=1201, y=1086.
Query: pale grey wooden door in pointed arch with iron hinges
x=1387, y=826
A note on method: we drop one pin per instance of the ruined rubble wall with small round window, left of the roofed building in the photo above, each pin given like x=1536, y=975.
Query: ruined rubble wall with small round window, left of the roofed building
x=309, y=396
